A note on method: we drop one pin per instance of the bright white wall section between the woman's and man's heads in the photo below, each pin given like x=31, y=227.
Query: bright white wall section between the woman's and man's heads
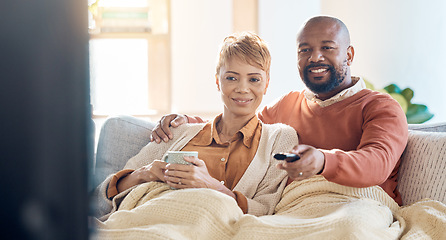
x=279, y=22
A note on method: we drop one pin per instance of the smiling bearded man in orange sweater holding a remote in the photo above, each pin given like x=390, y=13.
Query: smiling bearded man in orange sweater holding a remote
x=349, y=134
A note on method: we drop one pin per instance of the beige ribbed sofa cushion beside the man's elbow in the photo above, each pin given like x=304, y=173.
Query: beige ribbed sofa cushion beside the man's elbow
x=422, y=171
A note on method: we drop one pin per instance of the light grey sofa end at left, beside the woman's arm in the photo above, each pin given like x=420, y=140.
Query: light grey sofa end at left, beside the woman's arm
x=121, y=138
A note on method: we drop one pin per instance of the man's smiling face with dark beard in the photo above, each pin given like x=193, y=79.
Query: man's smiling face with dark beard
x=323, y=58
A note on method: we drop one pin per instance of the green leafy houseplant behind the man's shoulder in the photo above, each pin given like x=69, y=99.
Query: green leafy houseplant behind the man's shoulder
x=415, y=113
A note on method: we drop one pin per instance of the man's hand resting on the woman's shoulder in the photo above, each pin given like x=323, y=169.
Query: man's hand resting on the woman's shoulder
x=162, y=132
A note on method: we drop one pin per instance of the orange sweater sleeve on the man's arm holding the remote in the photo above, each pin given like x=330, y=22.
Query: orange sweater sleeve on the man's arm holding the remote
x=383, y=140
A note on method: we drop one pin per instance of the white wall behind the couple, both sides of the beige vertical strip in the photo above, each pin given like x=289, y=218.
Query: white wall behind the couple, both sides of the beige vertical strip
x=396, y=41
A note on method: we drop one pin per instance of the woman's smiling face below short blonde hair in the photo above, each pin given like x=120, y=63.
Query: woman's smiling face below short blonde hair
x=242, y=87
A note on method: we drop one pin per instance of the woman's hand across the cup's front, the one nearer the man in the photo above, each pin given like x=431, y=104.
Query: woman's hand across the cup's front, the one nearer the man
x=195, y=175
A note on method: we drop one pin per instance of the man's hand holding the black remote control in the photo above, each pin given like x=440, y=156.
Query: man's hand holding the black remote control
x=311, y=162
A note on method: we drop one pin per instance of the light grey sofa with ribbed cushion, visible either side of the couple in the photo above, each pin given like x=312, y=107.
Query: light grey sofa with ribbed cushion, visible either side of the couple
x=422, y=170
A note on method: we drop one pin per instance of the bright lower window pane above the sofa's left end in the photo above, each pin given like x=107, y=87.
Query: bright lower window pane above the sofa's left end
x=119, y=75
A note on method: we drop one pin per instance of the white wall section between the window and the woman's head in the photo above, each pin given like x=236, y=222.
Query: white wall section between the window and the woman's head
x=198, y=28
